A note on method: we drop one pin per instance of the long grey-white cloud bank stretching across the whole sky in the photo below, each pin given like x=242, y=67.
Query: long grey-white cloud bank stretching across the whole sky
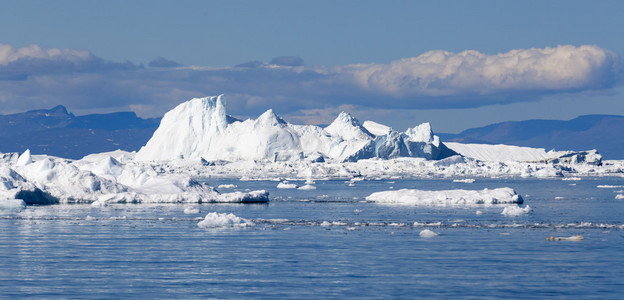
x=33, y=78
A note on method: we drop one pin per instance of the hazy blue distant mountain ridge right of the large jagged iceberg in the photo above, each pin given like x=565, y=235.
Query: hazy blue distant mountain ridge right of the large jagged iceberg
x=602, y=132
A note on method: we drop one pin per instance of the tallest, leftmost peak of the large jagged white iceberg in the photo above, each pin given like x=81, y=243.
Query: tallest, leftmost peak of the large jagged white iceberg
x=187, y=130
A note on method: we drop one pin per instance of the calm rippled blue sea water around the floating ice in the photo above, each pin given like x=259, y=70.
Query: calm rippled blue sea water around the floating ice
x=370, y=251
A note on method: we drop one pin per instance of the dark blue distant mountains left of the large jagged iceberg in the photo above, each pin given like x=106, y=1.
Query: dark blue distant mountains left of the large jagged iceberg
x=59, y=133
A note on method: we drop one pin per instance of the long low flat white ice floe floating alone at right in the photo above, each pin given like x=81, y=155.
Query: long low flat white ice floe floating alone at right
x=447, y=197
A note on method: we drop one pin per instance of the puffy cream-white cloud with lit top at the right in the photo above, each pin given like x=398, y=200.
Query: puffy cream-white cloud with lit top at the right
x=442, y=73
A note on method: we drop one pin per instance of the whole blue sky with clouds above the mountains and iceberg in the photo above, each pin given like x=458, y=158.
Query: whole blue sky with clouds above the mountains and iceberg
x=456, y=64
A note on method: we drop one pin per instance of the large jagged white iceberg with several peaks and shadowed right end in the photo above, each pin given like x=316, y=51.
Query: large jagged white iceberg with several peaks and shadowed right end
x=198, y=129
